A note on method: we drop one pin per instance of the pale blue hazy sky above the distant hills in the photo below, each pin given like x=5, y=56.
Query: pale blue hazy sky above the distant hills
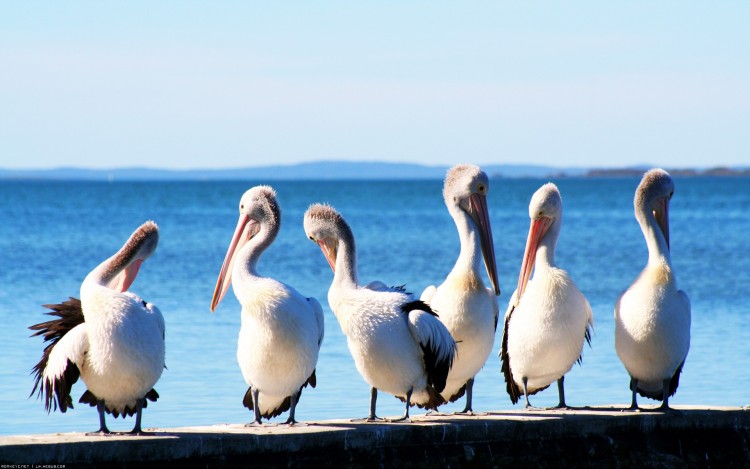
x=229, y=84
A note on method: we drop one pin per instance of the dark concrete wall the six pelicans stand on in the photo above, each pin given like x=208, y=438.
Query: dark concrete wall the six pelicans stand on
x=598, y=437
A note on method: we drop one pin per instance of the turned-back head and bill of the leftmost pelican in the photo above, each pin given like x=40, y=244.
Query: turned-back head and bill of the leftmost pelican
x=122, y=268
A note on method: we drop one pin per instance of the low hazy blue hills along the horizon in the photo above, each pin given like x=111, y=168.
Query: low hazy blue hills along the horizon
x=326, y=170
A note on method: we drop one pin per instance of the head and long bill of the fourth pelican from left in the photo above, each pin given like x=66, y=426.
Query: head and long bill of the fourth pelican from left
x=465, y=189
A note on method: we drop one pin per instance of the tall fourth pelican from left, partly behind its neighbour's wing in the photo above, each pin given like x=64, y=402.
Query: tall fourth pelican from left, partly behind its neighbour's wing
x=467, y=308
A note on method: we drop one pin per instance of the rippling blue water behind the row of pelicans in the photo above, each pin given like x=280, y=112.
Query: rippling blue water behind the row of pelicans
x=53, y=233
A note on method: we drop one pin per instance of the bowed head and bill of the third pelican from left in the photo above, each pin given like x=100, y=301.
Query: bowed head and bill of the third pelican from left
x=325, y=226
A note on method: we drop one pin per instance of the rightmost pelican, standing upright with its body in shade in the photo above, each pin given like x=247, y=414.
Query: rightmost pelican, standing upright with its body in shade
x=652, y=317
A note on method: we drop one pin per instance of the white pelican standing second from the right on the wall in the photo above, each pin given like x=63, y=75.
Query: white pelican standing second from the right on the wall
x=548, y=318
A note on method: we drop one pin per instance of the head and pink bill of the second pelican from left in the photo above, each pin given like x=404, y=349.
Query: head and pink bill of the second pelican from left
x=258, y=208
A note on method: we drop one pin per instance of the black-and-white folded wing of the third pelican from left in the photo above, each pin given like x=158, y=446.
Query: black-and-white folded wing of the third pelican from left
x=438, y=346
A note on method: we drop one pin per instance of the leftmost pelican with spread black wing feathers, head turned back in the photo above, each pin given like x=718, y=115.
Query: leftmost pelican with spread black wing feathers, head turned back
x=110, y=338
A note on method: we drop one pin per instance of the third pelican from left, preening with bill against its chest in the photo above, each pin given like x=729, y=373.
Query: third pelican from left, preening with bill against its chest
x=398, y=344
